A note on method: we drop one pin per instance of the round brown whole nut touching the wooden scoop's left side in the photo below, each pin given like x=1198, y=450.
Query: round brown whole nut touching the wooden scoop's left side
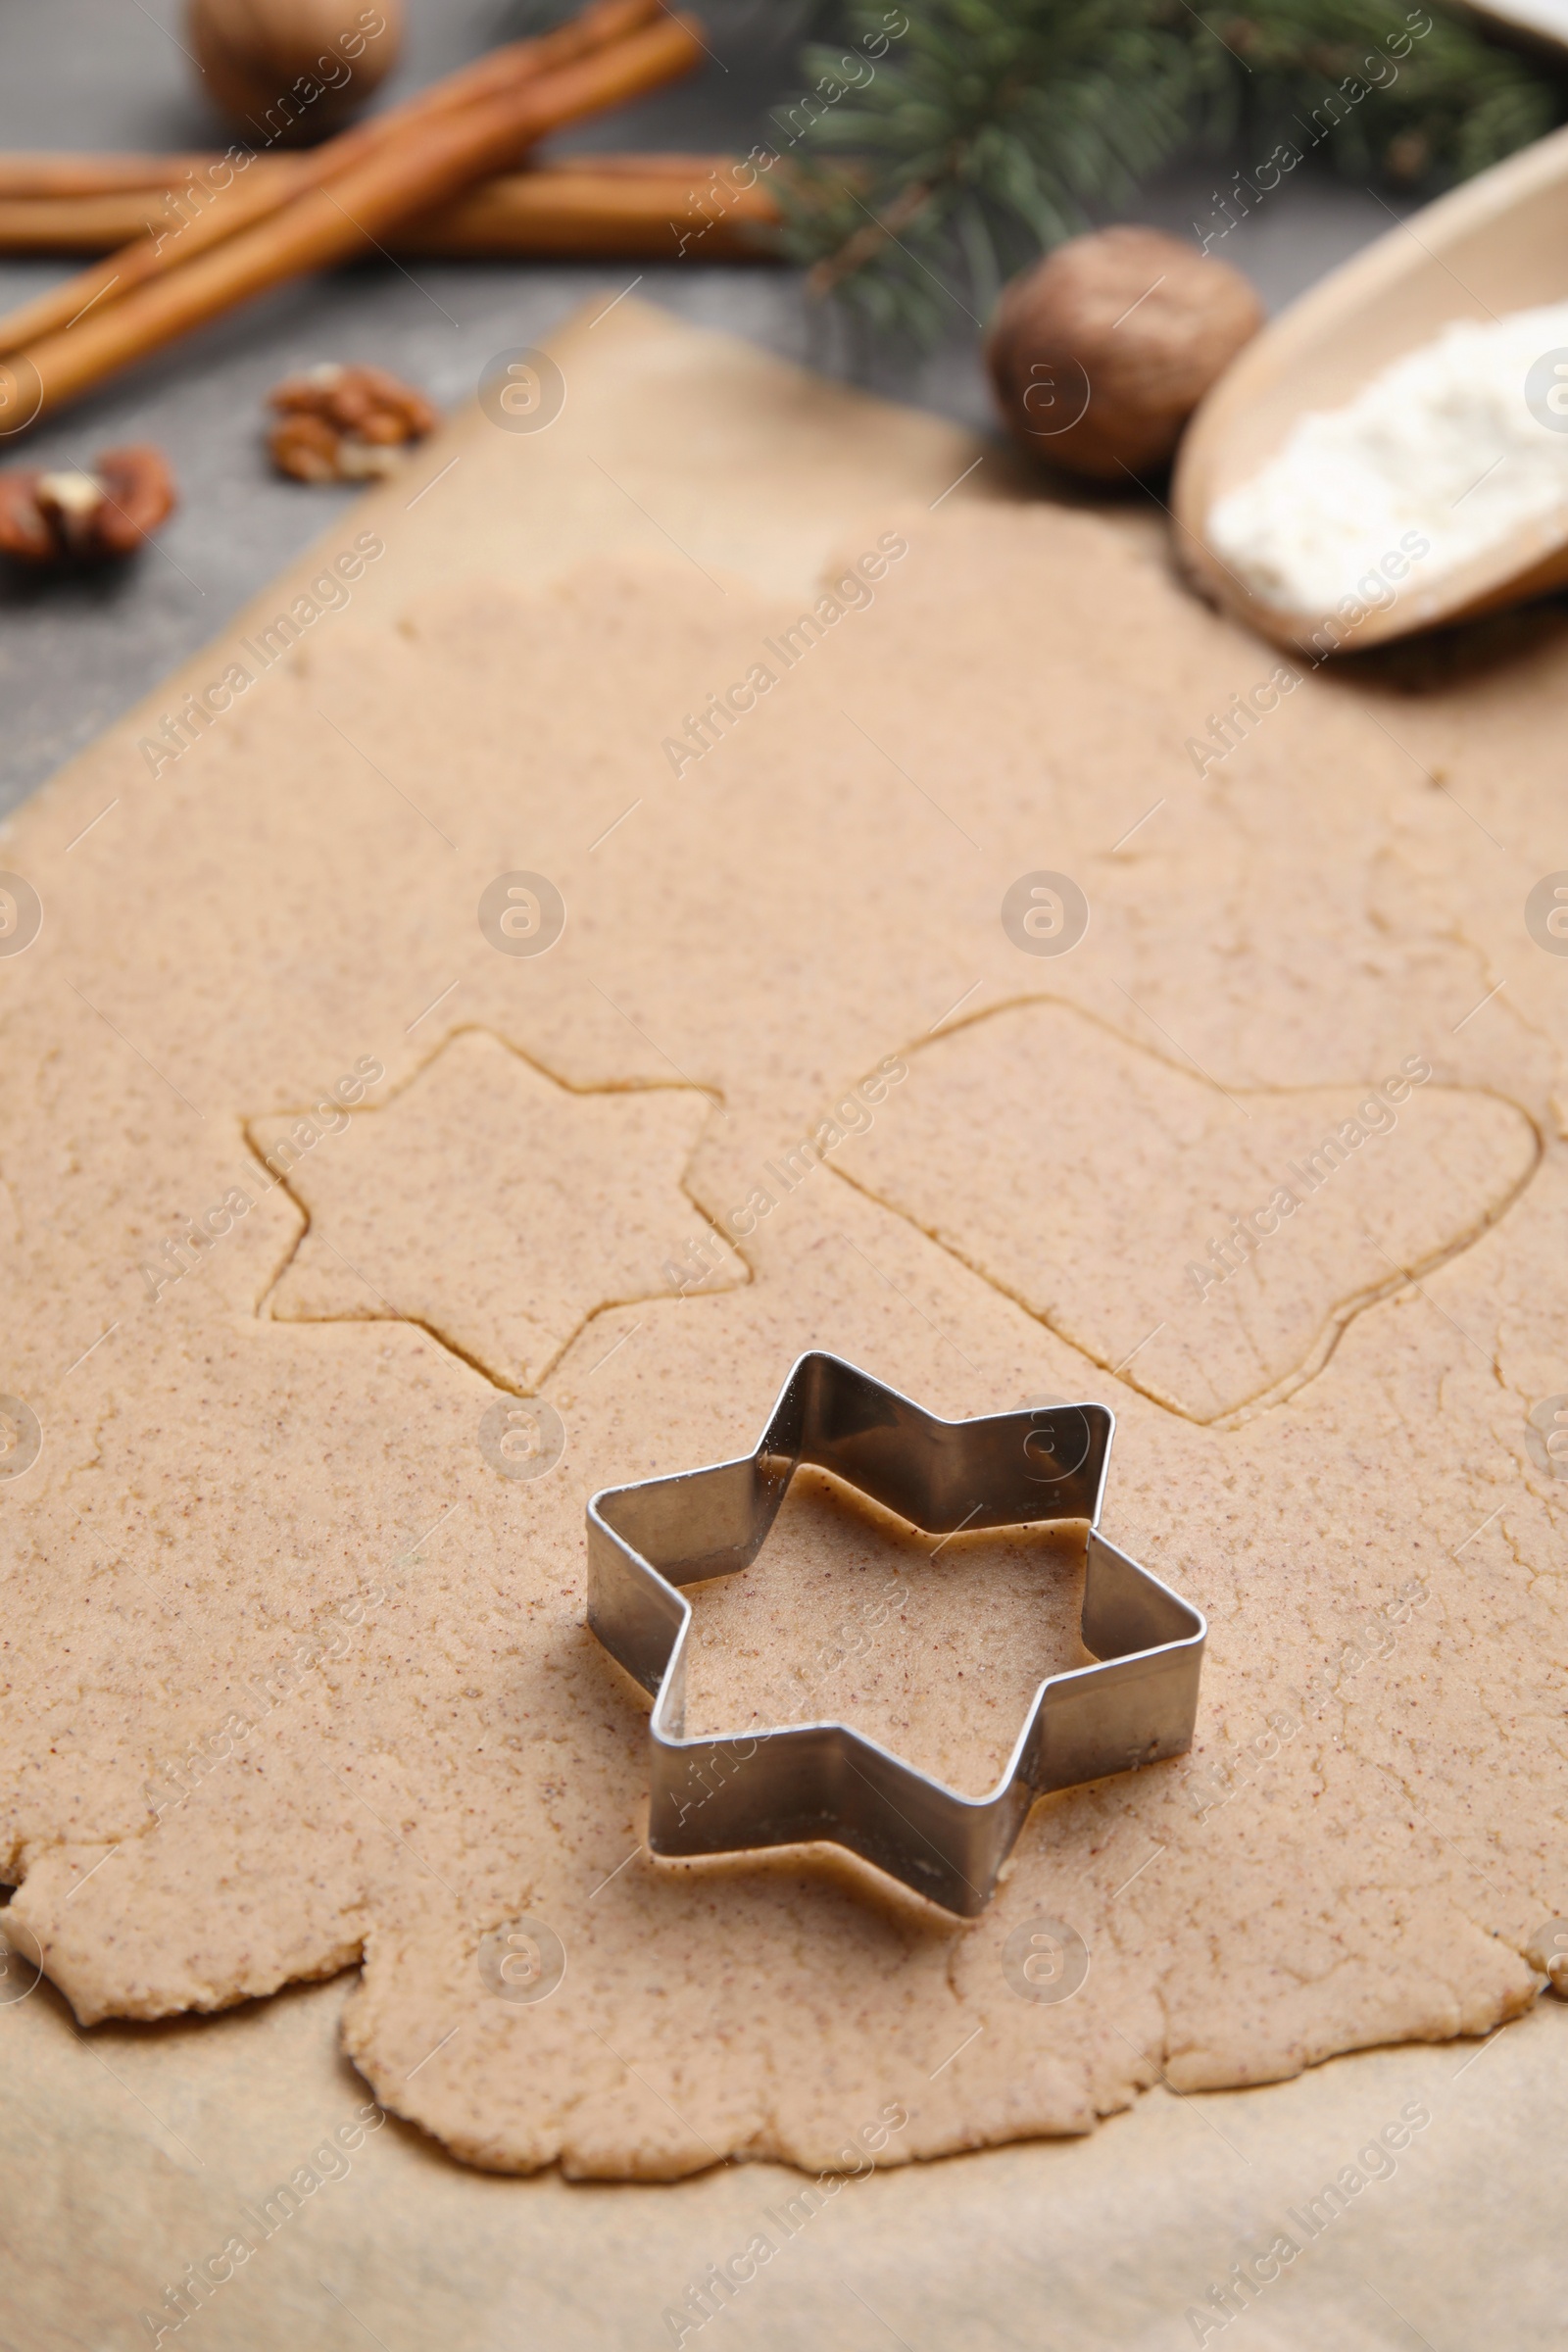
x=1104, y=349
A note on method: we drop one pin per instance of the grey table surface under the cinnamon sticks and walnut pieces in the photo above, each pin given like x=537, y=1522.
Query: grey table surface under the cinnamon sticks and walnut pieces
x=116, y=74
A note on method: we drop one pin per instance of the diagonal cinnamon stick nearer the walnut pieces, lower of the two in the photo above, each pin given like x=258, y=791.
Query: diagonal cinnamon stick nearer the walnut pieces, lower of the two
x=321, y=227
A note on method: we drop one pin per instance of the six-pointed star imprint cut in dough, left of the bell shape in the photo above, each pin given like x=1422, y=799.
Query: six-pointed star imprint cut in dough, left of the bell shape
x=490, y=1205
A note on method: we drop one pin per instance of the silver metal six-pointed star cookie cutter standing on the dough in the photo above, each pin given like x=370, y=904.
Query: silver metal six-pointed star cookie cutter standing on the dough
x=826, y=1782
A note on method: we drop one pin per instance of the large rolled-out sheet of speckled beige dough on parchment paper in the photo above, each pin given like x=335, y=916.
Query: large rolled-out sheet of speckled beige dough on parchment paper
x=300, y=1678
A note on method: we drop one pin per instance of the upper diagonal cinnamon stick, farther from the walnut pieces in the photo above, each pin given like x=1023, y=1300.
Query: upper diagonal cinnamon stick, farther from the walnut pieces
x=267, y=182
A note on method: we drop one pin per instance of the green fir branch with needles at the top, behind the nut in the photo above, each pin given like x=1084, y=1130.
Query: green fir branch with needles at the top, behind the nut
x=942, y=145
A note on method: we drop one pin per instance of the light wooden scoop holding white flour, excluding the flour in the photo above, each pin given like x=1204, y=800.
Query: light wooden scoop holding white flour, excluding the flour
x=1494, y=246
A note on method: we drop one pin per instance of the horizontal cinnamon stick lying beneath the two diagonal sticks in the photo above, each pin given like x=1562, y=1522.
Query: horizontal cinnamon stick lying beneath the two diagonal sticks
x=641, y=206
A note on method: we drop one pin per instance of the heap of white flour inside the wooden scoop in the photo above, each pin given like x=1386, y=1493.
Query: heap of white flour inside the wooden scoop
x=1459, y=443
